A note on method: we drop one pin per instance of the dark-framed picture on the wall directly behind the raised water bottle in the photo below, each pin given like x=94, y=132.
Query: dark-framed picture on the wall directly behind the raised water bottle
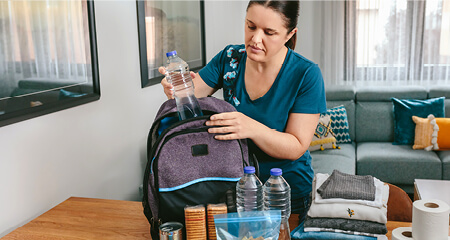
x=165, y=26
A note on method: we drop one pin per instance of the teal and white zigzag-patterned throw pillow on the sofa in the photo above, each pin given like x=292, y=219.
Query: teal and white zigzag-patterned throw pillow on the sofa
x=339, y=124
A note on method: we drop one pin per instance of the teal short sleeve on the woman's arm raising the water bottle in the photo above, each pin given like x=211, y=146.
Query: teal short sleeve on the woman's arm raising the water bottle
x=212, y=73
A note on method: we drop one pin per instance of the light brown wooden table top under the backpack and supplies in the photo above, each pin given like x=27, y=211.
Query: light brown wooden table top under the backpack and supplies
x=87, y=218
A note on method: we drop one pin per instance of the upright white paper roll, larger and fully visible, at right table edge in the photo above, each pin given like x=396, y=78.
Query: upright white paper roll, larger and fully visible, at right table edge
x=430, y=220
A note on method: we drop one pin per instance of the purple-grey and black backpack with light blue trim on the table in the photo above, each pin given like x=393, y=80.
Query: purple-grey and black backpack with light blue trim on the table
x=187, y=166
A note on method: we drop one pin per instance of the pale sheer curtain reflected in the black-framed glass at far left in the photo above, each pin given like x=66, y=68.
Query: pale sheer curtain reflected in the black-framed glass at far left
x=43, y=40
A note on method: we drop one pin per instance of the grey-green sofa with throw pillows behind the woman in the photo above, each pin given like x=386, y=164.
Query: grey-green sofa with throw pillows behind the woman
x=371, y=126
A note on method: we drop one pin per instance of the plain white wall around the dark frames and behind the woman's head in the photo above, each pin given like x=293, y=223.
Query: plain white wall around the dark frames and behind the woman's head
x=99, y=149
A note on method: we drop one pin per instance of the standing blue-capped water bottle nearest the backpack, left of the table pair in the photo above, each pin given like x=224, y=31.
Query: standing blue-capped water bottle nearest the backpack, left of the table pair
x=249, y=193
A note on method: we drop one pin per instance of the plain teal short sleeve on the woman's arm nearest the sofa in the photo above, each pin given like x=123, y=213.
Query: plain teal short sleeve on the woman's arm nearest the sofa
x=311, y=94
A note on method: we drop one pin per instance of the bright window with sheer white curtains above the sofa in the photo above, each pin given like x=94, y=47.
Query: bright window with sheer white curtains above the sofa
x=402, y=41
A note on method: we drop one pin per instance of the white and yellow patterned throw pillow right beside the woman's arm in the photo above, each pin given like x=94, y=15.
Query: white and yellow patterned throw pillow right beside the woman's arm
x=324, y=136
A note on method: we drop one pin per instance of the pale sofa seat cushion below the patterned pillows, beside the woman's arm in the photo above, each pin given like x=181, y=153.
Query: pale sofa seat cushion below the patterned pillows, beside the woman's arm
x=340, y=159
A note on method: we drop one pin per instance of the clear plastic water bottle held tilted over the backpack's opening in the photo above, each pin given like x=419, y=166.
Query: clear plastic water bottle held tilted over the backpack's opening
x=178, y=74
